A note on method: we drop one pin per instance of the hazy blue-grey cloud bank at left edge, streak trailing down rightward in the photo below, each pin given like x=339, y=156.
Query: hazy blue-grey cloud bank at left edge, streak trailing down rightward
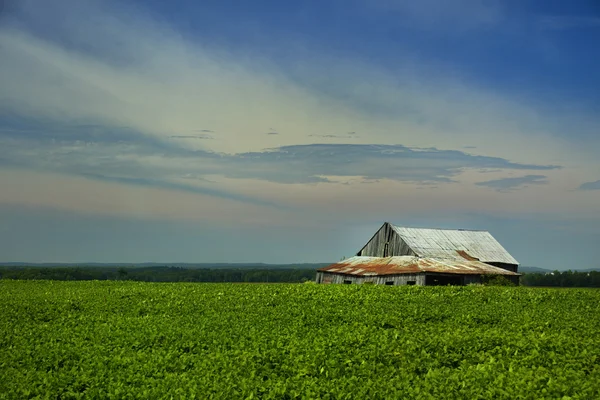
x=110, y=154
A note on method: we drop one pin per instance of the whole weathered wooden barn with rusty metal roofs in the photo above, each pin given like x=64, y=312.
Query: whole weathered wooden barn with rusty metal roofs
x=416, y=256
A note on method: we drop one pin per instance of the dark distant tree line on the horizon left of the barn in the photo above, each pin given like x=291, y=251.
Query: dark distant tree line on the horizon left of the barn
x=159, y=274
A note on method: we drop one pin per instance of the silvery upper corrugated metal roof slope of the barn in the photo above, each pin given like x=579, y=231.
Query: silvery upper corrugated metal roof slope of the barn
x=446, y=243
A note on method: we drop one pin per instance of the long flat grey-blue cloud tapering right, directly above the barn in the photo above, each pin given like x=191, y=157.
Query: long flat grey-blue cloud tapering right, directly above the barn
x=314, y=162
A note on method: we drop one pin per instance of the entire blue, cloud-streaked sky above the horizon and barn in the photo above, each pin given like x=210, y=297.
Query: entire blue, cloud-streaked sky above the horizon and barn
x=289, y=132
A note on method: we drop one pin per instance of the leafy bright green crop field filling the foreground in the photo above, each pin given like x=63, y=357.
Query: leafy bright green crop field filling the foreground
x=117, y=340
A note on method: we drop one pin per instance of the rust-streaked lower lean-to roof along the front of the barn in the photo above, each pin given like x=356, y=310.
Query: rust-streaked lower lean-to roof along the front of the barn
x=372, y=266
